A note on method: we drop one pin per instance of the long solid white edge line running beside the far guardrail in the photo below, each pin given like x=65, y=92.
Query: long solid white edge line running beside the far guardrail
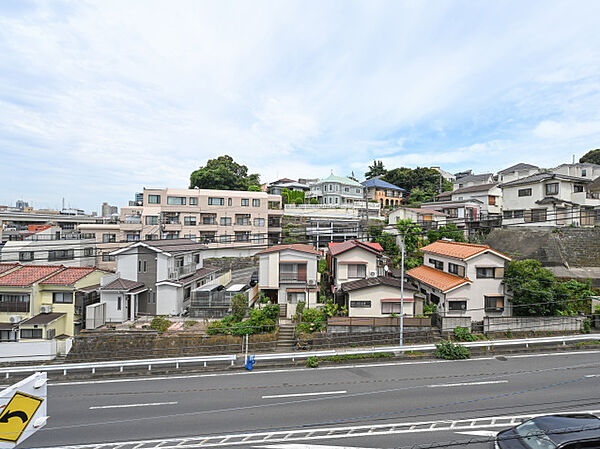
x=327, y=368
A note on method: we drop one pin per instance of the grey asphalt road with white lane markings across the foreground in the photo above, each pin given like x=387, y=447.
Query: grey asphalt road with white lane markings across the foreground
x=363, y=406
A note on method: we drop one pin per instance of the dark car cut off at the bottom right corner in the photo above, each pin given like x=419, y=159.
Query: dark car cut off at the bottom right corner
x=574, y=431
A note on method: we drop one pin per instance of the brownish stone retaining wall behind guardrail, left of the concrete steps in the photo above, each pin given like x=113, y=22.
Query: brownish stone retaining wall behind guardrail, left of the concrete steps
x=98, y=346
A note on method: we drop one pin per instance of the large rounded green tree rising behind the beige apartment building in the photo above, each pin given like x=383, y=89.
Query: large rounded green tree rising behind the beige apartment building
x=223, y=173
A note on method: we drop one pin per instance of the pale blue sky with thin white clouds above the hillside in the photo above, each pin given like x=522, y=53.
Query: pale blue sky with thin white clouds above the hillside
x=99, y=99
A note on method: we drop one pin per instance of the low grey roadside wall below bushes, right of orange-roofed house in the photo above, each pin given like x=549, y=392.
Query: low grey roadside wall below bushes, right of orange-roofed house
x=537, y=324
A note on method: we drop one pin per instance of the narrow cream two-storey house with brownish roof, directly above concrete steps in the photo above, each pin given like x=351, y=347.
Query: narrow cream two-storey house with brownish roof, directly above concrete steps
x=287, y=274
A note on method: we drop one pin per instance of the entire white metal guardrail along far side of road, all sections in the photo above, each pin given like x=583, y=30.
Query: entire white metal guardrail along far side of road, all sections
x=121, y=364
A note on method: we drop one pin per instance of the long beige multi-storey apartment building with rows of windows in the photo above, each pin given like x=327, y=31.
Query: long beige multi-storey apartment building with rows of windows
x=215, y=217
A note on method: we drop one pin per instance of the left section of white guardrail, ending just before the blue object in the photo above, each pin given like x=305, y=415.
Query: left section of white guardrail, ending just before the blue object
x=66, y=367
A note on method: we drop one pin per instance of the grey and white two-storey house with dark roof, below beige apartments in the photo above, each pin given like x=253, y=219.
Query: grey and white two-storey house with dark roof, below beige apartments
x=155, y=277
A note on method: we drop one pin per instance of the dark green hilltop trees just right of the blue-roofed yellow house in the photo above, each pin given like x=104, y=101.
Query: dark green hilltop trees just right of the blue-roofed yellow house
x=421, y=183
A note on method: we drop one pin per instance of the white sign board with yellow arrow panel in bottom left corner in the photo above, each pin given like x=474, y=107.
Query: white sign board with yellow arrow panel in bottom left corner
x=22, y=410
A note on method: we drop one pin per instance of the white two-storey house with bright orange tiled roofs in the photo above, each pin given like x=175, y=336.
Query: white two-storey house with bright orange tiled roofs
x=463, y=279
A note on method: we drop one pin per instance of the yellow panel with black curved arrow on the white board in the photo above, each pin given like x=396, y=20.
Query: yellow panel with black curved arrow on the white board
x=17, y=414
